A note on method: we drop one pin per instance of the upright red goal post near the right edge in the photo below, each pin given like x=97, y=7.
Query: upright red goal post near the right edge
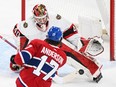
x=112, y=31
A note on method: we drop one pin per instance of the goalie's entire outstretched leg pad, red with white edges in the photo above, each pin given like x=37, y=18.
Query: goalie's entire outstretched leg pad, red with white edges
x=80, y=61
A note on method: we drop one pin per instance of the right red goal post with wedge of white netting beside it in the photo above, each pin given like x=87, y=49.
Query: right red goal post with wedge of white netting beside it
x=108, y=16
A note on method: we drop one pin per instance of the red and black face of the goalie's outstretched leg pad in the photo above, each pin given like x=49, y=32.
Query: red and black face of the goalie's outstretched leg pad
x=82, y=59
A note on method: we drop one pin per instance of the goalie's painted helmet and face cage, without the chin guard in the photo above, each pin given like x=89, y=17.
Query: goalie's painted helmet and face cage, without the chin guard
x=40, y=14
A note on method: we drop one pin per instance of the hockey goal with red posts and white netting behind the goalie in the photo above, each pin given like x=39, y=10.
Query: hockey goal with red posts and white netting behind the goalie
x=99, y=11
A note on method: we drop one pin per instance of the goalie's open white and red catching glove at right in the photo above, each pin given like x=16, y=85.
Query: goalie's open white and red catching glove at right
x=93, y=47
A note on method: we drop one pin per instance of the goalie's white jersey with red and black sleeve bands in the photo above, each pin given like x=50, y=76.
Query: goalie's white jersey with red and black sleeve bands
x=27, y=30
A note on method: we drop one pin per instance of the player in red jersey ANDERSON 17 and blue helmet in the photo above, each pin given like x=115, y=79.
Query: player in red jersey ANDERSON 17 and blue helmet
x=41, y=60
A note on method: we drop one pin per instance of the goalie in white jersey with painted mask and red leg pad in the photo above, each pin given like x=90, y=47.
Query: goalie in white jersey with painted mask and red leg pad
x=37, y=26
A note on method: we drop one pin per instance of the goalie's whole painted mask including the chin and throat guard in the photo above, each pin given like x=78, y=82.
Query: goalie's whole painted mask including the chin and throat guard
x=41, y=18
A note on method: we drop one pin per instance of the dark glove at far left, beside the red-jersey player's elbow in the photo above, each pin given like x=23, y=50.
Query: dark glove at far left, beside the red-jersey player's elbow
x=13, y=65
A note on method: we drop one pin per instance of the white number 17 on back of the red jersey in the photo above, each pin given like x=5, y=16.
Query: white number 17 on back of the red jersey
x=41, y=64
